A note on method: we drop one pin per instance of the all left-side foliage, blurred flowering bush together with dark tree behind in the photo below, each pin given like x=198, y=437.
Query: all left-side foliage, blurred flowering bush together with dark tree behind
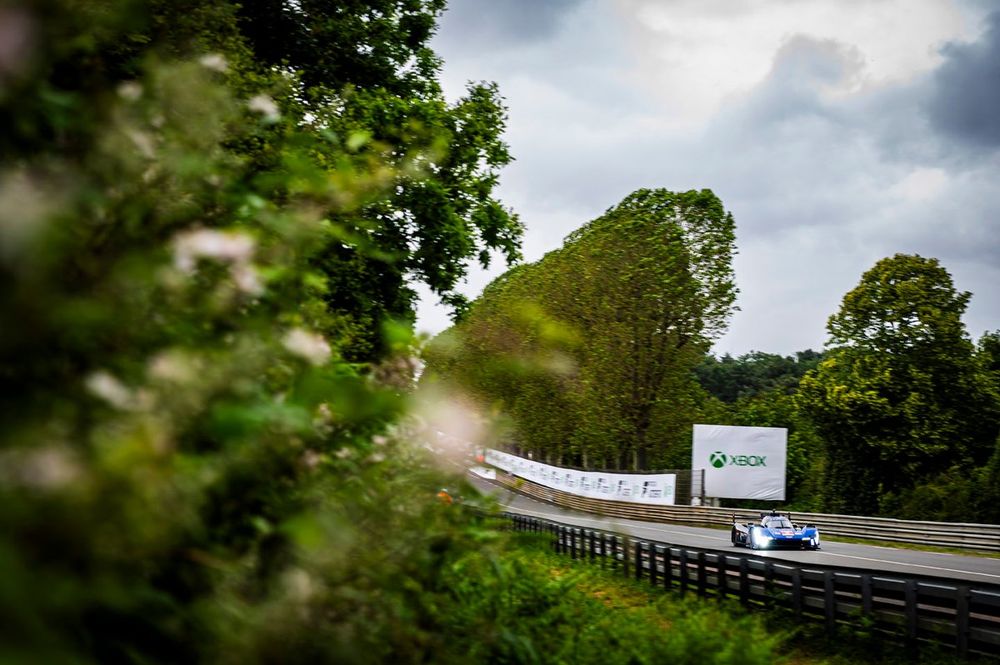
x=205, y=340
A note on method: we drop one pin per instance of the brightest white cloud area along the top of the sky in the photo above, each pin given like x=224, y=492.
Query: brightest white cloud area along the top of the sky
x=700, y=53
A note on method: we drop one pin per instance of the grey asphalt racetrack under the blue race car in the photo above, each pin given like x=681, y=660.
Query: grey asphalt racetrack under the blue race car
x=869, y=558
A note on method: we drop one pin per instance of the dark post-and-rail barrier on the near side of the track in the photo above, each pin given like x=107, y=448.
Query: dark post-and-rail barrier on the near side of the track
x=911, y=610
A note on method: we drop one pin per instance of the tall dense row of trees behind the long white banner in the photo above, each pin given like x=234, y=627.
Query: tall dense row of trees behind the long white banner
x=589, y=352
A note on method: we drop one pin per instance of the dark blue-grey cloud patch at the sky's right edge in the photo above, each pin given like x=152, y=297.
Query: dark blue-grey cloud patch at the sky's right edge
x=965, y=100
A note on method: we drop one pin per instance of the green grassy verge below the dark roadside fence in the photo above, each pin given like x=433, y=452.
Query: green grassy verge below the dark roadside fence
x=535, y=606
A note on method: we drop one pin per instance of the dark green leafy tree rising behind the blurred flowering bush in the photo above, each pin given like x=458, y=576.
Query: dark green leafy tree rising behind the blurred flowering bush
x=363, y=71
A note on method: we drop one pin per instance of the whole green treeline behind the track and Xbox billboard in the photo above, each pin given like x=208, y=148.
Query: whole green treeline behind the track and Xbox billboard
x=597, y=357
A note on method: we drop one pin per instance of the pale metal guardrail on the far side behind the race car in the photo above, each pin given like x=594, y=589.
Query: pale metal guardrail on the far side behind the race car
x=984, y=537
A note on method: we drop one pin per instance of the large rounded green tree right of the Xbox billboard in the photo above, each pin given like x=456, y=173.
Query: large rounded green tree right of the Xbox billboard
x=897, y=399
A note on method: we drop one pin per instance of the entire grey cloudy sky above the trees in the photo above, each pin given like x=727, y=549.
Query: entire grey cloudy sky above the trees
x=837, y=132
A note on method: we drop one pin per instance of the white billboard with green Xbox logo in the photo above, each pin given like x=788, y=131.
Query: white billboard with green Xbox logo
x=741, y=462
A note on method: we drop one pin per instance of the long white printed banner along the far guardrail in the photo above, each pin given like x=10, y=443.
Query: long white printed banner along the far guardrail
x=655, y=488
